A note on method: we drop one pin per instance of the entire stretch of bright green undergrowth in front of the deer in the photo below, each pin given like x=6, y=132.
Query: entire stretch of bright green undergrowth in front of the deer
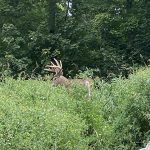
x=36, y=115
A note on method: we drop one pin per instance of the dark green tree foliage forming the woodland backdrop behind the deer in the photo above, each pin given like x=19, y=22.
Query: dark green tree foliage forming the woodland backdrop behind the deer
x=98, y=34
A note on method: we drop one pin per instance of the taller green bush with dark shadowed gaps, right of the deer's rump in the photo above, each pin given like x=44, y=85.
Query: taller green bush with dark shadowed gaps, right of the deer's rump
x=125, y=108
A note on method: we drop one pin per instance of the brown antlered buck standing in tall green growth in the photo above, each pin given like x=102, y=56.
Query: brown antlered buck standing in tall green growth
x=59, y=79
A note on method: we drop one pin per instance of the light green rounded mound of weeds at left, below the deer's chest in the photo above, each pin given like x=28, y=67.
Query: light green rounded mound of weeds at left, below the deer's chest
x=34, y=115
